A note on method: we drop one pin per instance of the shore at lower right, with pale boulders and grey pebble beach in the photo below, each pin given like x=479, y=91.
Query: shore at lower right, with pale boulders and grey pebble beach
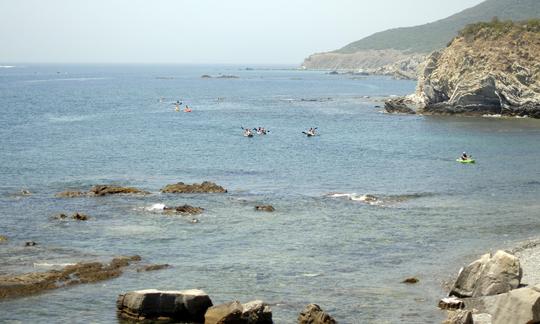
x=500, y=287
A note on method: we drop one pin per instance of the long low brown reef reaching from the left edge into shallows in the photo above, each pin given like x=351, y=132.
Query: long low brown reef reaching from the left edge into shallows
x=36, y=282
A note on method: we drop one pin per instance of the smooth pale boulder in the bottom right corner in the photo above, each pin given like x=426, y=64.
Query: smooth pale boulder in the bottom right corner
x=517, y=306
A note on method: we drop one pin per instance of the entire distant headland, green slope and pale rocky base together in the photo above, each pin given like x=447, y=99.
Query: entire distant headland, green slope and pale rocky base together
x=398, y=51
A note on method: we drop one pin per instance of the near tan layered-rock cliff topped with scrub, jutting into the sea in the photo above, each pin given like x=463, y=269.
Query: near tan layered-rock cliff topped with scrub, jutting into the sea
x=490, y=68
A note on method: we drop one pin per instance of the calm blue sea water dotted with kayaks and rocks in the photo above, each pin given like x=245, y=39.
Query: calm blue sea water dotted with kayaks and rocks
x=73, y=126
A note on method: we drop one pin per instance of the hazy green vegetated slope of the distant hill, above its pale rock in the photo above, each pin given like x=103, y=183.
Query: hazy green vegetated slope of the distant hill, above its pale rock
x=432, y=36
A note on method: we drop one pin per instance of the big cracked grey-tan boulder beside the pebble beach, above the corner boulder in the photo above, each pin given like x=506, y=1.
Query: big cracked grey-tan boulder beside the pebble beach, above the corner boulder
x=489, y=275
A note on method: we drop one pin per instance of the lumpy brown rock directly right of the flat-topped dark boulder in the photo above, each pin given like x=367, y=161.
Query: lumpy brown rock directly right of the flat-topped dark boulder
x=254, y=312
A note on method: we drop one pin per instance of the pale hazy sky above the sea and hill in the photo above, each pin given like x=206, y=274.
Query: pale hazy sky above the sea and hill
x=199, y=31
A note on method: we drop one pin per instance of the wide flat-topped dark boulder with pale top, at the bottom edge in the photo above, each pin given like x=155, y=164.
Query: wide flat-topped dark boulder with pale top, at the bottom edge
x=151, y=304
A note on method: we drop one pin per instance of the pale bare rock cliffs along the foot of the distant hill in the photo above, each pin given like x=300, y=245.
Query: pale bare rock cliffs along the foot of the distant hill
x=395, y=63
